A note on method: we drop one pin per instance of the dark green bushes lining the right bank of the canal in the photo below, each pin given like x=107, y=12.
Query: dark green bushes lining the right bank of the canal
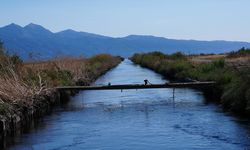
x=232, y=84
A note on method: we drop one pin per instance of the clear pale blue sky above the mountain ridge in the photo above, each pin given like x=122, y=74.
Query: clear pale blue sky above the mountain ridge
x=181, y=19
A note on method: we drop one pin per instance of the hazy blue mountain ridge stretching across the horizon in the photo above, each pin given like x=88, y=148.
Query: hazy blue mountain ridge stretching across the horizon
x=43, y=43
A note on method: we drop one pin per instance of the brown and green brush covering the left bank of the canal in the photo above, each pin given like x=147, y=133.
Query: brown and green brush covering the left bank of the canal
x=22, y=83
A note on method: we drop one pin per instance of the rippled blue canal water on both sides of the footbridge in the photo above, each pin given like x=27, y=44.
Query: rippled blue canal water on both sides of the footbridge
x=137, y=119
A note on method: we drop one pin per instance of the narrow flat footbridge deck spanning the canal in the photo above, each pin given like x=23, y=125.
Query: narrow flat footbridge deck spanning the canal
x=138, y=86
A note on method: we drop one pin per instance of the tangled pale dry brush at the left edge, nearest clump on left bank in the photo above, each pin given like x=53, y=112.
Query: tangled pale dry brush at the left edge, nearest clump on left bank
x=13, y=88
